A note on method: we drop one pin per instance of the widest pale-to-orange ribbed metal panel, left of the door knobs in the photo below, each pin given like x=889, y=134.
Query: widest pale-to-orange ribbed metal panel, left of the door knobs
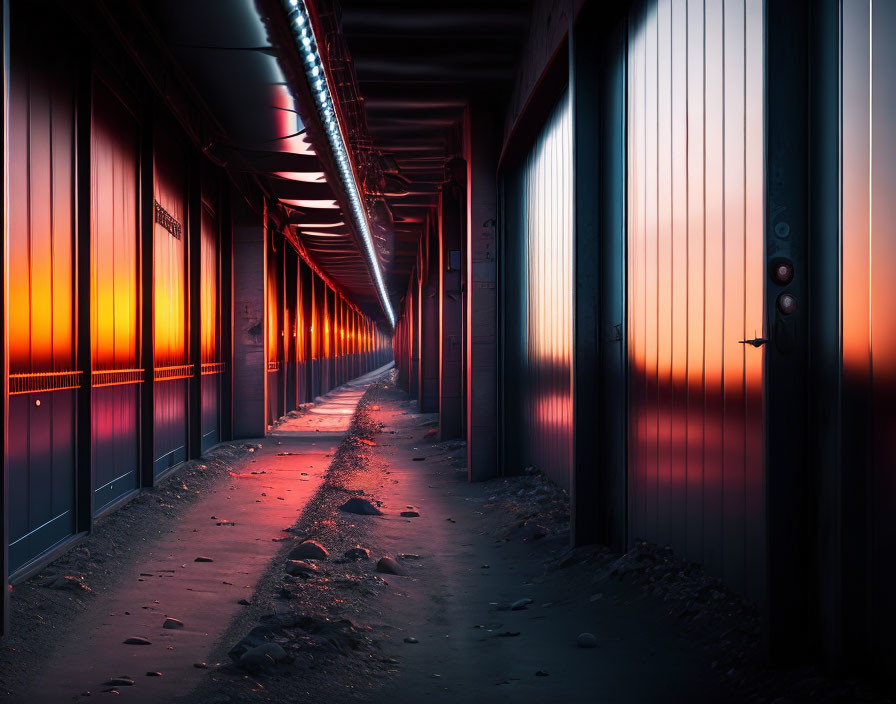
x=696, y=267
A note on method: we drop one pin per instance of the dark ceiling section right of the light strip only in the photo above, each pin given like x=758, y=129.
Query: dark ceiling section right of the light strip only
x=418, y=64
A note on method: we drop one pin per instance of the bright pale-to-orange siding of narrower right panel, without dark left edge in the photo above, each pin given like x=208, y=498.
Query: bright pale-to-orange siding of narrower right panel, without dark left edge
x=546, y=188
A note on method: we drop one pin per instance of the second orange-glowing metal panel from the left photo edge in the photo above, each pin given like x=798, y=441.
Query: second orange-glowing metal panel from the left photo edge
x=114, y=298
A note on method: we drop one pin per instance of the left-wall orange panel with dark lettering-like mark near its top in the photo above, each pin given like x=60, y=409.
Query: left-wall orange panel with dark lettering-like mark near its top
x=171, y=341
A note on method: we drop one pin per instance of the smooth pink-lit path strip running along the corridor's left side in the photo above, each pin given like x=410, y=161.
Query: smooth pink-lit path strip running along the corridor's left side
x=237, y=526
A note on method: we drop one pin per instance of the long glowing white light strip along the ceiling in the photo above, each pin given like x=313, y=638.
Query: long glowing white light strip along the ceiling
x=317, y=82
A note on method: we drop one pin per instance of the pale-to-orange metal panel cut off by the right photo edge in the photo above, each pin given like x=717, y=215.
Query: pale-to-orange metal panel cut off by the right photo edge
x=869, y=307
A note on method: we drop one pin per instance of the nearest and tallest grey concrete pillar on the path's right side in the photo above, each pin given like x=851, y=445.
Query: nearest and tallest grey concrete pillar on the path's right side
x=482, y=147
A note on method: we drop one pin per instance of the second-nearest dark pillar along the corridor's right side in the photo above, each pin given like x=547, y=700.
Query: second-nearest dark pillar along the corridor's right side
x=452, y=212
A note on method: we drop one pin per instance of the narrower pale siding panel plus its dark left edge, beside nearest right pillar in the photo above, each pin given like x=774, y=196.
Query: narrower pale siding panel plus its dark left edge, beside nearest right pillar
x=537, y=303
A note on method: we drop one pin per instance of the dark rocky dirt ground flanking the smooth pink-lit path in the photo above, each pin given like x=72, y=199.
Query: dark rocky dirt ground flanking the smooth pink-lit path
x=490, y=604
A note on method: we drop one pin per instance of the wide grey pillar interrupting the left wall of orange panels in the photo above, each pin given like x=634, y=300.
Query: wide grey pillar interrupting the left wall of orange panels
x=249, y=320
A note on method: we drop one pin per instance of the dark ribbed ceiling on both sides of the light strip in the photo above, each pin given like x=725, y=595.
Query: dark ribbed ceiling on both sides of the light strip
x=417, y=65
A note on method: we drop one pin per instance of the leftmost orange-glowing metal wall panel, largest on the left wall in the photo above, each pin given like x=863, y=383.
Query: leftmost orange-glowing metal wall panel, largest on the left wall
x=40, y=291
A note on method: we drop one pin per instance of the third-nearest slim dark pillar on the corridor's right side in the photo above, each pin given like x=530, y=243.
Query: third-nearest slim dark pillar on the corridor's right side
x=429, y=321
